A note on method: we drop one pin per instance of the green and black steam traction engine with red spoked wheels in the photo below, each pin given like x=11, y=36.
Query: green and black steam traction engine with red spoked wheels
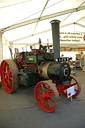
x=50, y=74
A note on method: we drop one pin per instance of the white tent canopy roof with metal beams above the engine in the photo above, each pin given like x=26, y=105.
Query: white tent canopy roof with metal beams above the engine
x=25, y=21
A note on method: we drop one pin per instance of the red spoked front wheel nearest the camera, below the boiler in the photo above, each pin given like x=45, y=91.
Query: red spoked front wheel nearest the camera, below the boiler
x=45, y=96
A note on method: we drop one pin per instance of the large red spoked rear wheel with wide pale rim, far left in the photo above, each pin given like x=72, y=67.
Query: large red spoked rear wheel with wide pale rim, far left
x=9, y=76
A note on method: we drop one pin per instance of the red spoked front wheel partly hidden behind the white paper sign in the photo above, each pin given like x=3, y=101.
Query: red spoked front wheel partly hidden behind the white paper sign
x=72, y=82
